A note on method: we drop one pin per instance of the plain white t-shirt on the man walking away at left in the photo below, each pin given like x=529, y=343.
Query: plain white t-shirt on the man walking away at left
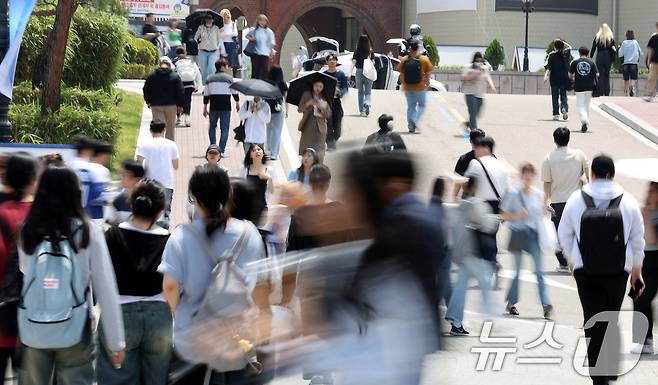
x=158, y=155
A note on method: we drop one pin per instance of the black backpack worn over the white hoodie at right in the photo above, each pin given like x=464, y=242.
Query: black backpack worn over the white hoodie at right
x=602, y=244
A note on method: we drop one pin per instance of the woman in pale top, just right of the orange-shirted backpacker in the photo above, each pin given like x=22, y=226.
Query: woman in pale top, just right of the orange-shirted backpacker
x=475, y=80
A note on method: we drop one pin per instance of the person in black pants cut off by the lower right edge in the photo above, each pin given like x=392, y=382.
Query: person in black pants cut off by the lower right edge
x=649, y=271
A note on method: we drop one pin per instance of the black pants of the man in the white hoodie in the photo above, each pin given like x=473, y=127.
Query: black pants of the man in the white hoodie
x=599, y=293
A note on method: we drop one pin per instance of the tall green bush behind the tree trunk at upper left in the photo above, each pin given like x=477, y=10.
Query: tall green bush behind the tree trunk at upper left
x=94, y=48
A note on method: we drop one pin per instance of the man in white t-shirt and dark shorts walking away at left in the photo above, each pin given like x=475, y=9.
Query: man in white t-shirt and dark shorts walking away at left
x=159, y=156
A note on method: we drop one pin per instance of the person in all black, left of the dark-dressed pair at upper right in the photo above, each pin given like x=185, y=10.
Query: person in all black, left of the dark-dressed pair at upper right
x=557, y=70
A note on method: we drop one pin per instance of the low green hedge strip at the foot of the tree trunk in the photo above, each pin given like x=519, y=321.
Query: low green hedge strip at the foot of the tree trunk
x=28, y=126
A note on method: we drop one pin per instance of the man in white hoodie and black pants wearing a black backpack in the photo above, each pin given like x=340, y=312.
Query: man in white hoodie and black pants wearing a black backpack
x=602, y=252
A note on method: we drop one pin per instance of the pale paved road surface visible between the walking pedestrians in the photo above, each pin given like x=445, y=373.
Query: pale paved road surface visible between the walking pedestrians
x=522, y=127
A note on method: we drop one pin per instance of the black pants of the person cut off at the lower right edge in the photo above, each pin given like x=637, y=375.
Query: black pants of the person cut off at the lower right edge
x=643, y=304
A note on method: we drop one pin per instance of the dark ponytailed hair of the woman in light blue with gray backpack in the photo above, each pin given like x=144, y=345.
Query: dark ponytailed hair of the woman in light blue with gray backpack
x=211, y=188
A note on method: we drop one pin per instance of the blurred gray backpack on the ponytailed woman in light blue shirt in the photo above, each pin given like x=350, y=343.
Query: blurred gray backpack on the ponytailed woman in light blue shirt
x=222, y=327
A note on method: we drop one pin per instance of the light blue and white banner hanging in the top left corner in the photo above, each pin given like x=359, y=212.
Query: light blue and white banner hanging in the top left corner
x=19, y=15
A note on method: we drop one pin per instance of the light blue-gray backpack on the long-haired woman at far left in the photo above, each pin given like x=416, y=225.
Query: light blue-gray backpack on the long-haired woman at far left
x=54, y=305
